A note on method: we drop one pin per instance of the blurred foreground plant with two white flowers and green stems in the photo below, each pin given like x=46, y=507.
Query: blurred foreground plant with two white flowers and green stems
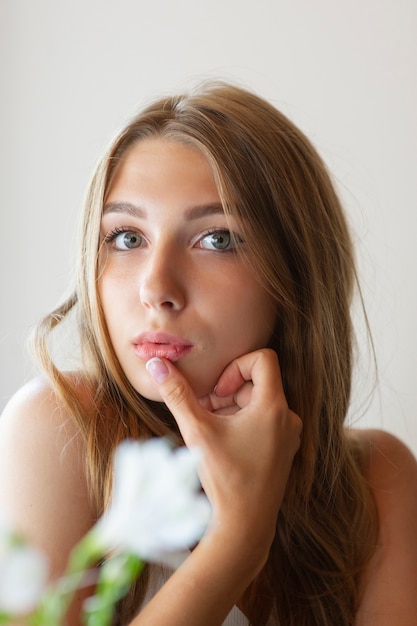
x=157, y=512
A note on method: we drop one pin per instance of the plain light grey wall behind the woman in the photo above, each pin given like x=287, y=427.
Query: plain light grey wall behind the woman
x=343, y=70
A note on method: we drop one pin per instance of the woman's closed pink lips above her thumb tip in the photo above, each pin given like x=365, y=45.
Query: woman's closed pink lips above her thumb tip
x=151, y=344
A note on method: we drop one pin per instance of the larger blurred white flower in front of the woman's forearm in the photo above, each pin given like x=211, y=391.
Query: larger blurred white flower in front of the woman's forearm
x=157, y=506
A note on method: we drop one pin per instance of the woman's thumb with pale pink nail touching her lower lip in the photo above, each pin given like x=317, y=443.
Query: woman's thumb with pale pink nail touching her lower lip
x=175, y=391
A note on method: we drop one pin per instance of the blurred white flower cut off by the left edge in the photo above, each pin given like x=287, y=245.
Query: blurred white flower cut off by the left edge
x=23, y=573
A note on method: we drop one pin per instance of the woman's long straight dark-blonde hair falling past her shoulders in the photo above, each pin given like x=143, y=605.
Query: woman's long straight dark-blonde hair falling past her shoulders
x=269, y=175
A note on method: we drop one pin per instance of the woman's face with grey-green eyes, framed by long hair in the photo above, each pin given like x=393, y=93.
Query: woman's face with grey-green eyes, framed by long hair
x=171, y=282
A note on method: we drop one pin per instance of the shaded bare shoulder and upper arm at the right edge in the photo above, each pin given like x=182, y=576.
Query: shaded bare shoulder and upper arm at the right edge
x=389, y=594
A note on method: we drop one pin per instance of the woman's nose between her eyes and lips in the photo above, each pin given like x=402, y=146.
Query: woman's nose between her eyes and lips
x=162, y=285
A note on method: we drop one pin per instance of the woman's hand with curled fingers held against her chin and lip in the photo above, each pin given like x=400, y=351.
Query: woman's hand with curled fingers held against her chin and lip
x=248, y=437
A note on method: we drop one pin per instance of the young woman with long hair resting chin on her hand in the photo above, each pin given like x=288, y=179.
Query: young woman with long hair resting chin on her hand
x=212, y=301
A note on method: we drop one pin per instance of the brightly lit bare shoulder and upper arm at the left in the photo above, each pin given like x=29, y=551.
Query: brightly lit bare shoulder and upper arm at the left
x=43, y=484
